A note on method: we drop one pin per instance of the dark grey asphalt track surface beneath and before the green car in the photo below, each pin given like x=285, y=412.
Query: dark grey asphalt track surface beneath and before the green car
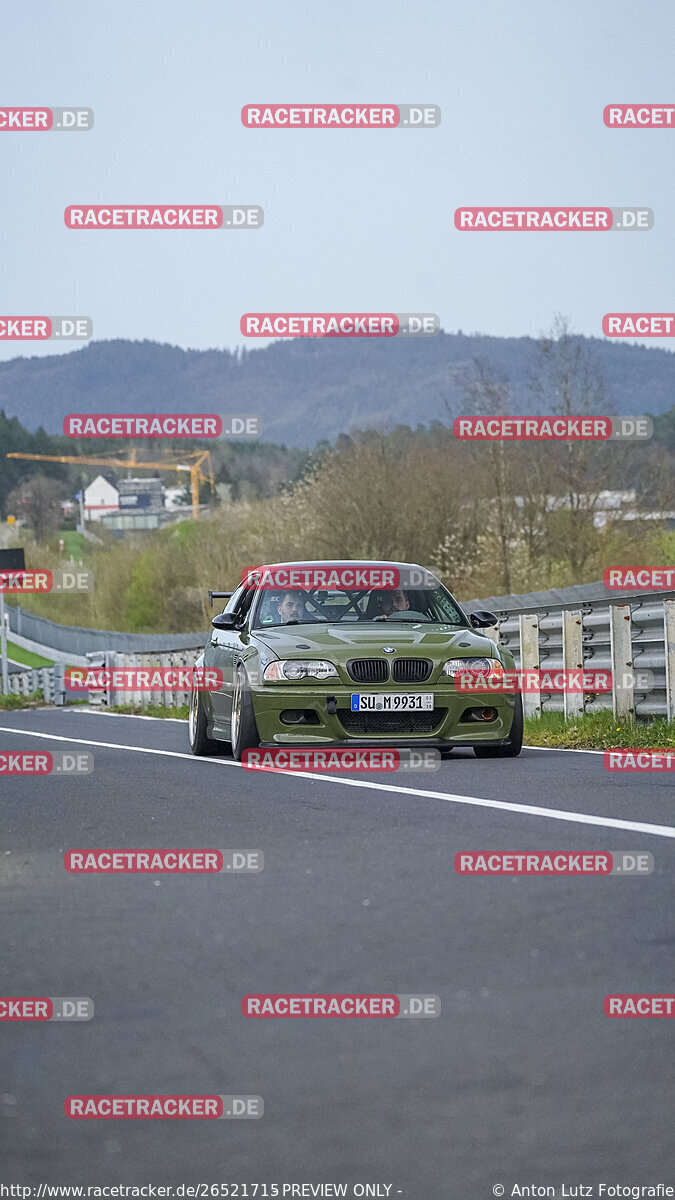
x=521, y=1081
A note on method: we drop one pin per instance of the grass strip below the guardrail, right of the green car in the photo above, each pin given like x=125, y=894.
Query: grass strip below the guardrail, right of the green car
x=598, y=731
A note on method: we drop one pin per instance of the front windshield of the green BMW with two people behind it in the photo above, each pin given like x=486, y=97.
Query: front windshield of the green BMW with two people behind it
x=337, y=607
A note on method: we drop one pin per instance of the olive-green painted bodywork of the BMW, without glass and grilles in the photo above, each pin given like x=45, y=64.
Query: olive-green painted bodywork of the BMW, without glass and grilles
x=314, y=712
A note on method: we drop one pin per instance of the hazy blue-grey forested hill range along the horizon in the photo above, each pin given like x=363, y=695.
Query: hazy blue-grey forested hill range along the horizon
x=307, y=391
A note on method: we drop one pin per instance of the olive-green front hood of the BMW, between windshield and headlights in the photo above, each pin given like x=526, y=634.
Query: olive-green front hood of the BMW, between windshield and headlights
x=345, y=643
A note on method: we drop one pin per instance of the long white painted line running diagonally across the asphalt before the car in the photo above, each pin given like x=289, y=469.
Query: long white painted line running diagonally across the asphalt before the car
x=451, y=799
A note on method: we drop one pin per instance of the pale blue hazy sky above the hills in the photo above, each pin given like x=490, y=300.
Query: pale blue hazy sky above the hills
x=355, y=220
